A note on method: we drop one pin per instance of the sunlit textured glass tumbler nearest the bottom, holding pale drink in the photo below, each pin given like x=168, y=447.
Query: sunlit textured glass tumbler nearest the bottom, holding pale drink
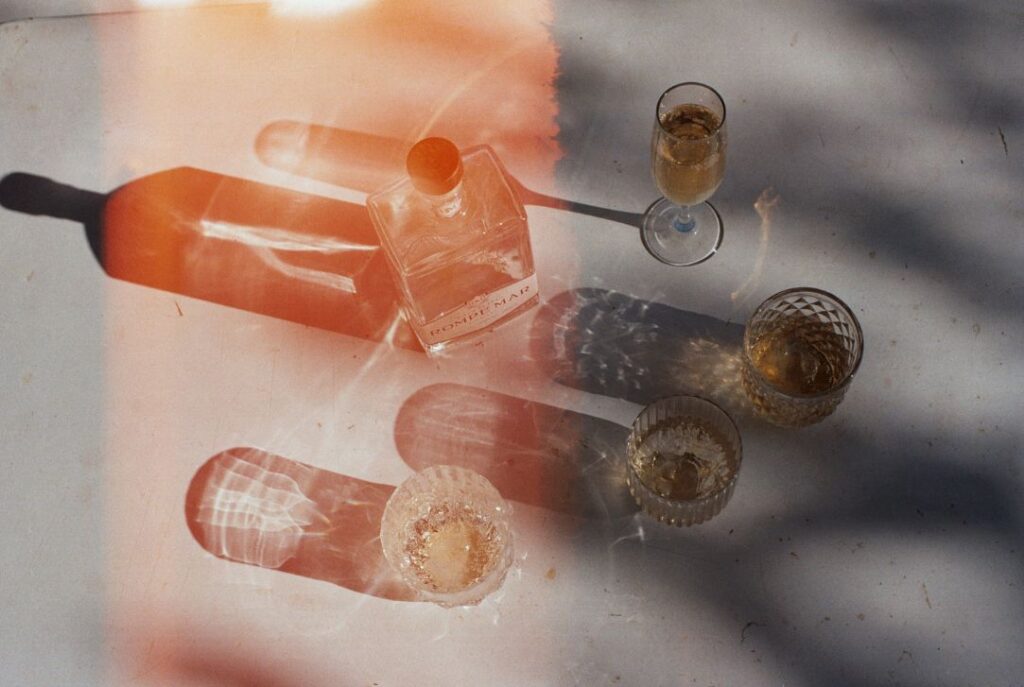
x=447, y=532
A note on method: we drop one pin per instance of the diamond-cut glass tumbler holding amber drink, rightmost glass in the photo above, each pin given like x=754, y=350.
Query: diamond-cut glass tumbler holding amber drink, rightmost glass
x=801, y=350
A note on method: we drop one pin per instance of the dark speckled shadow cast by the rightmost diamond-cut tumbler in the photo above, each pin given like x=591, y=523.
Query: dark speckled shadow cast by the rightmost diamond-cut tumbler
x=612, y=345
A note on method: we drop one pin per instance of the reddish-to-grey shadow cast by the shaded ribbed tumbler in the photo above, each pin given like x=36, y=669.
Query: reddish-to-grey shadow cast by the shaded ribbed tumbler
x=533, y=453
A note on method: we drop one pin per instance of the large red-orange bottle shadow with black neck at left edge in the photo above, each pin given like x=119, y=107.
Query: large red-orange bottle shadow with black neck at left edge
x=308, y=260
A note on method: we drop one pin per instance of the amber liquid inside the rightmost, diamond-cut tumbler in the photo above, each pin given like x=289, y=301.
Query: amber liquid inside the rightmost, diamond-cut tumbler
x=800, y=356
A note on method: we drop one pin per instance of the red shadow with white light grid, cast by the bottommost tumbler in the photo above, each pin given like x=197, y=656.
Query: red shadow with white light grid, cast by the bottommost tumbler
x=249, y=506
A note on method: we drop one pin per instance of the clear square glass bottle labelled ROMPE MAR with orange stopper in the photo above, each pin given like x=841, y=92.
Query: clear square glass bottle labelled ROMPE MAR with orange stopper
x=456, y=236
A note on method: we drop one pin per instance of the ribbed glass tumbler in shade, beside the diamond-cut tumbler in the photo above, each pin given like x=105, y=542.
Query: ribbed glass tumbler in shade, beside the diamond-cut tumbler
x=684, y=457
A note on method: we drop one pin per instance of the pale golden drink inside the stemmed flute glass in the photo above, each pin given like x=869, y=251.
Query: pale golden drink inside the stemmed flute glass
x=689, y=164
